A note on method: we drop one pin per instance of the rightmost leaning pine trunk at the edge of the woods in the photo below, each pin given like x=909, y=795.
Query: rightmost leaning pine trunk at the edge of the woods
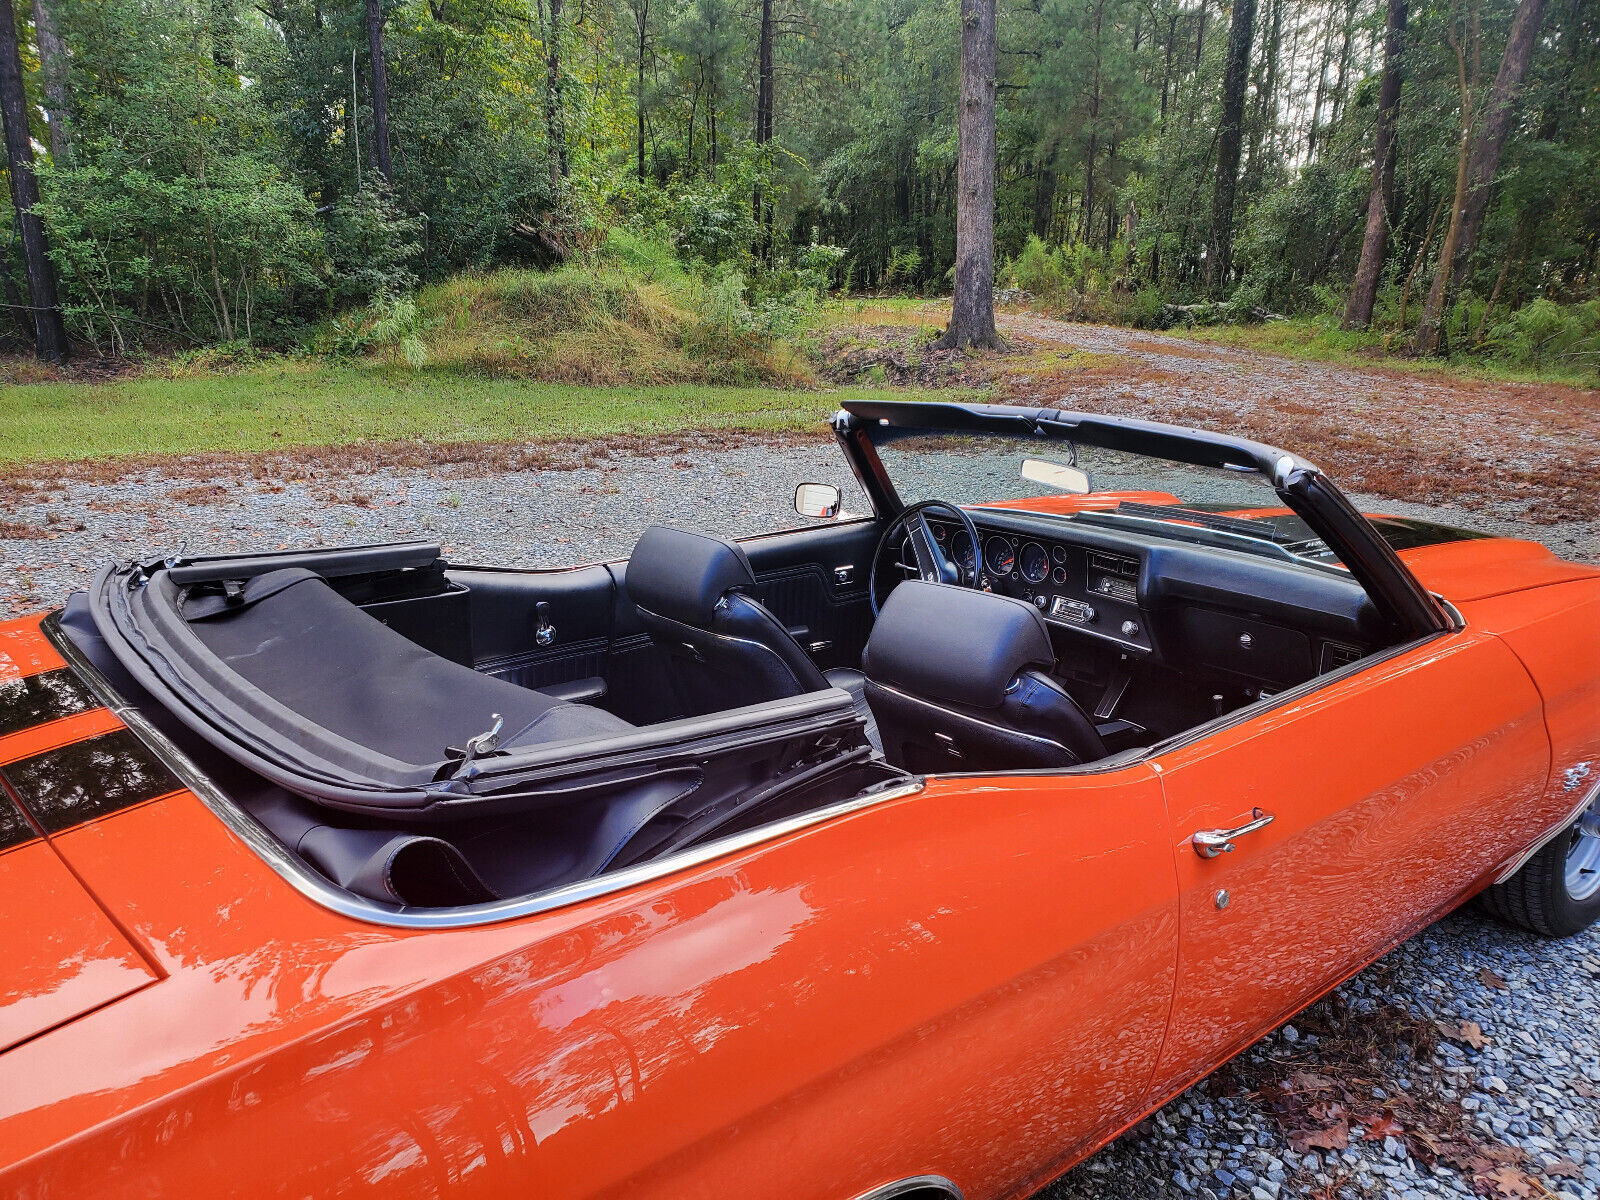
x=1476, y=172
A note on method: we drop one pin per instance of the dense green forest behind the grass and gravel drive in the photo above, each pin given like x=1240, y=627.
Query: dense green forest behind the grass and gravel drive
x=198, y=172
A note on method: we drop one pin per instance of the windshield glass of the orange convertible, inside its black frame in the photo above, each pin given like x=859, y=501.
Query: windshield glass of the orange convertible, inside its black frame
x=1236, y=510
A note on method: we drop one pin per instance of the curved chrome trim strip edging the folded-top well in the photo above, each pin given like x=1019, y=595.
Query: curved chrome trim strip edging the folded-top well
x=348, y=905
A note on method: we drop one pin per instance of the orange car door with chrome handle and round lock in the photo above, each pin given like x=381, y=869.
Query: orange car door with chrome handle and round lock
x=1391, y=791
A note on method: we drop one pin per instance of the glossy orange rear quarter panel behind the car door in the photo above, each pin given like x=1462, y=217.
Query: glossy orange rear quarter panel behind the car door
x=911, y=988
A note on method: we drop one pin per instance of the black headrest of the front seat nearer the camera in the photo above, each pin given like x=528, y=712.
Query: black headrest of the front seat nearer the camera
x=956, y=646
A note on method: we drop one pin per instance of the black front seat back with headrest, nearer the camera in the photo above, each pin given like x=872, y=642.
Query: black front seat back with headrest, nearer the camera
x=956, y=681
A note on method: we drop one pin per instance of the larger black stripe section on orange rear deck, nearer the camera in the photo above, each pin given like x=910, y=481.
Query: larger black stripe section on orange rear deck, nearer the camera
x=78, y=783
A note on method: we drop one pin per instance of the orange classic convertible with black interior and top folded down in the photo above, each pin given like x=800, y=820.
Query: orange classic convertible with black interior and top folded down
x=903, y=855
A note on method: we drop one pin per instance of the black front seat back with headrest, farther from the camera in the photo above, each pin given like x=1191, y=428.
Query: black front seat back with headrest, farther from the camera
x=724, y=647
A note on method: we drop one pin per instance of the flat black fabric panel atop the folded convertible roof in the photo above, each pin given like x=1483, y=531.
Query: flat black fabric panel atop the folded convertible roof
x=292, y=636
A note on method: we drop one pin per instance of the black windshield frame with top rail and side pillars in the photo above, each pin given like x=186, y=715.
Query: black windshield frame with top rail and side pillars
x=1305, y=490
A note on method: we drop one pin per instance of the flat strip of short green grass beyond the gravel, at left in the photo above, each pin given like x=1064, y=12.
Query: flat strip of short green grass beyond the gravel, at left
x=310, y=404
